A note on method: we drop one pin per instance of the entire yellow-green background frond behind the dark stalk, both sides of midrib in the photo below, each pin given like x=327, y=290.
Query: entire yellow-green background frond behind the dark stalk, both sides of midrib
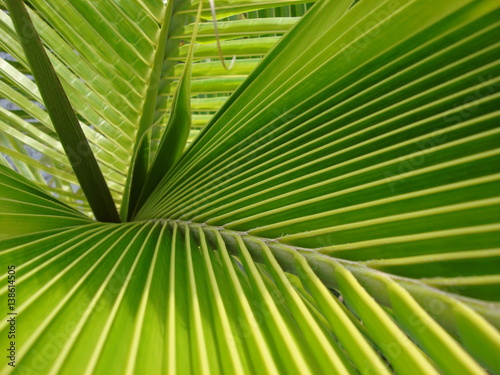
x=120, y=74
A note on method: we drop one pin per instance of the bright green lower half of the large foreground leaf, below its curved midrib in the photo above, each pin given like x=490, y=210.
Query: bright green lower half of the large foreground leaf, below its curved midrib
x=166, y=296
